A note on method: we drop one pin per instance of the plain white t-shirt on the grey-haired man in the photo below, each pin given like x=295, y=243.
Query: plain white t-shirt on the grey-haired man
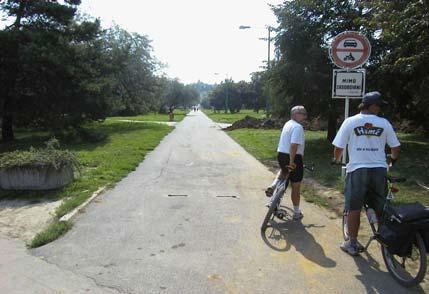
x=292, y=133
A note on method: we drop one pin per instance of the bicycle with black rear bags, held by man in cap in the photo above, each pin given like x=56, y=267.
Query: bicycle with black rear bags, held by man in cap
x=408, y=269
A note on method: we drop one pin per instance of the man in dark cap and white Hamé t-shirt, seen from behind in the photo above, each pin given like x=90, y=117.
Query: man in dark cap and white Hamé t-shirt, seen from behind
x=366, y=136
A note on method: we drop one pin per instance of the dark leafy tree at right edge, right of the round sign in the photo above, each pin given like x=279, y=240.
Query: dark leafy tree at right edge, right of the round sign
x=401, y=44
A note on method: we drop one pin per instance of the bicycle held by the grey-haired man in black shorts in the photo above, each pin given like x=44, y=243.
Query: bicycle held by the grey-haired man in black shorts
x=274, y=209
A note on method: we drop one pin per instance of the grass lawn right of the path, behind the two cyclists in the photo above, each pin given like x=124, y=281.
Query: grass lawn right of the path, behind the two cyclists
x=413, y=164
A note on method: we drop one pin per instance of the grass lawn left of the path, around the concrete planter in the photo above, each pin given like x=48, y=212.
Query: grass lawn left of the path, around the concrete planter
x=103, y=164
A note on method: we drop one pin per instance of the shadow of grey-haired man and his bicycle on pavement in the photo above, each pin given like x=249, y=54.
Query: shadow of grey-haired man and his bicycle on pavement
x=280, y=236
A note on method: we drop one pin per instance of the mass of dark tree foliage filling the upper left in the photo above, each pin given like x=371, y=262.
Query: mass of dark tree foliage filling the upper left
x=60, y=70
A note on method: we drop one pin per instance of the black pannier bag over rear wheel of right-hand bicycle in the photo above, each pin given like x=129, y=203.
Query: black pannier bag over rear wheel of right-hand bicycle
x=400, y=224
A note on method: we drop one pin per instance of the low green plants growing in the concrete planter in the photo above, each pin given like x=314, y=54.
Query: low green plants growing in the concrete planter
x=49, y=156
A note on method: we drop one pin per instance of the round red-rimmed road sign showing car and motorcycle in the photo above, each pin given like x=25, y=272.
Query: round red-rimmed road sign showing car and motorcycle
x=350, y=50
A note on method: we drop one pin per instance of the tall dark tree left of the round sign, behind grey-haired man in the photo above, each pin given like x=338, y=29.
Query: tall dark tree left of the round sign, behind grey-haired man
x=303, y=73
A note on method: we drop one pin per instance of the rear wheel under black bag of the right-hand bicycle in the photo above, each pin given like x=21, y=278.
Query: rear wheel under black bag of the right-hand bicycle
x=409, y=270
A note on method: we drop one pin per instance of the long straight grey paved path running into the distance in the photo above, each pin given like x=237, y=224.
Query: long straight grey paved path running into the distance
x=188, y=221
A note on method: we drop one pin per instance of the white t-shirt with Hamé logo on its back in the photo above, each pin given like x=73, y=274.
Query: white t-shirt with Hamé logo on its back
x=366, y=136
